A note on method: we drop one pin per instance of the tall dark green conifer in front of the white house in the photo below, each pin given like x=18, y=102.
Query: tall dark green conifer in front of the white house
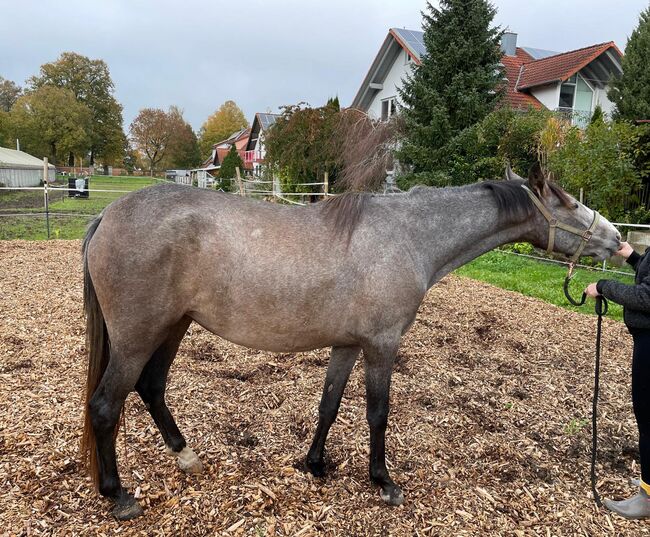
x=457, y=83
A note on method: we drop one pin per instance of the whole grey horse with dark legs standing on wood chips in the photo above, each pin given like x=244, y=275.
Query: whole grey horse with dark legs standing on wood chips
x=348, y=273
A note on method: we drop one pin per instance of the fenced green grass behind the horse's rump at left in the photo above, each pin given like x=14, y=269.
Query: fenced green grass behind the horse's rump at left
x=62, y=226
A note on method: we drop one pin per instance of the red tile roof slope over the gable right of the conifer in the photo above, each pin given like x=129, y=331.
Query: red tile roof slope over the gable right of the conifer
x=560, y=67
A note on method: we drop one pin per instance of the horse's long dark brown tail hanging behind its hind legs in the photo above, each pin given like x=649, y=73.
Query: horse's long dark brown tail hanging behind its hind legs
x=97, y=345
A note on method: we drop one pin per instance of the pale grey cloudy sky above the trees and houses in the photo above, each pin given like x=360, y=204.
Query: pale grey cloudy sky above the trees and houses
x=262, y=54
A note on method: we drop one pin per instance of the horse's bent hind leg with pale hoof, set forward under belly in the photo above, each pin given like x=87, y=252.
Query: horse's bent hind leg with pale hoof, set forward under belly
x=151, y=387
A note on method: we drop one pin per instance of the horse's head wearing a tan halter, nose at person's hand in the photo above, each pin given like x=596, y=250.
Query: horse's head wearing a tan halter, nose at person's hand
x=564, y=225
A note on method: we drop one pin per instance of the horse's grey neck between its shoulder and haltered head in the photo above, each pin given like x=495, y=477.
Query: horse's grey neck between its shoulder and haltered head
x=457, y=225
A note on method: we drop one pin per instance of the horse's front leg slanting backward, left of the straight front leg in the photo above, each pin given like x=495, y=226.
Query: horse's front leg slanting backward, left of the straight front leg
x=338, y=371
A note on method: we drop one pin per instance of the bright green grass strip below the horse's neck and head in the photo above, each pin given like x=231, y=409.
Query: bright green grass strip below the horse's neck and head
x=538, y=279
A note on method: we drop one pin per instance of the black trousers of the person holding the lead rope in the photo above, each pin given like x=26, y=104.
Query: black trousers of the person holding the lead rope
x=641, y=396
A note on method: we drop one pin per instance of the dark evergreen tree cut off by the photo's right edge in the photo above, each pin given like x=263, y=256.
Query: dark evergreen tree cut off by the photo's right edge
x=631, y=91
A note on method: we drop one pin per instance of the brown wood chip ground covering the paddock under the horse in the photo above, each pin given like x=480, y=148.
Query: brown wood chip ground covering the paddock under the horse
x=488, y=434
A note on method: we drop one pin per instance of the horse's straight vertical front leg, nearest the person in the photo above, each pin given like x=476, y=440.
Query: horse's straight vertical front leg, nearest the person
x=379, y=361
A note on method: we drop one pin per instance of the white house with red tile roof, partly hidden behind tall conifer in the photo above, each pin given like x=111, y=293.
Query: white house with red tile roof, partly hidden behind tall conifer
x=572, y=82
